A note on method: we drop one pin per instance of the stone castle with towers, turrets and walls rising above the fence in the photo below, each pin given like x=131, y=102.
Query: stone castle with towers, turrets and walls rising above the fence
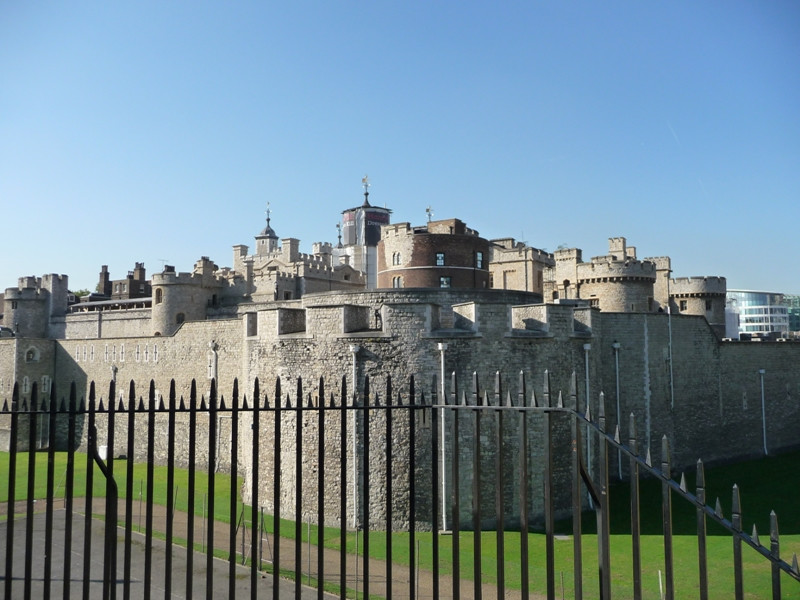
x=400, y=300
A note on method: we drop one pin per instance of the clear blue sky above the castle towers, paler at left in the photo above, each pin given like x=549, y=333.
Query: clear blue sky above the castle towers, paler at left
x=150, y=131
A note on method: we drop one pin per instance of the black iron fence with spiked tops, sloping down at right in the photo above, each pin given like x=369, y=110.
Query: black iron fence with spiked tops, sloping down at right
x=474, y=451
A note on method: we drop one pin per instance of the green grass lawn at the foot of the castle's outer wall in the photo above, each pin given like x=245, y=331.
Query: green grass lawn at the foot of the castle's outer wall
x=766, y=484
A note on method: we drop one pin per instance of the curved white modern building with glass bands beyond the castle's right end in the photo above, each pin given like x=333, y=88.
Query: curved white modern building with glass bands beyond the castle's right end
x=760, y=314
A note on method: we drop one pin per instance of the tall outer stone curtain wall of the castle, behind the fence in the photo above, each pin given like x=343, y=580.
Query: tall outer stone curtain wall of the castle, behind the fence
x=703, y=394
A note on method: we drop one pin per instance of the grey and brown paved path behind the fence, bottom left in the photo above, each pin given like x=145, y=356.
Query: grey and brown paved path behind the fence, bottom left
x=400, y=575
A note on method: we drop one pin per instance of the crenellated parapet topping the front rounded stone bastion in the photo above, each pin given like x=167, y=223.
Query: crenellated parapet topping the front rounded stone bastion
x=406, y=317
